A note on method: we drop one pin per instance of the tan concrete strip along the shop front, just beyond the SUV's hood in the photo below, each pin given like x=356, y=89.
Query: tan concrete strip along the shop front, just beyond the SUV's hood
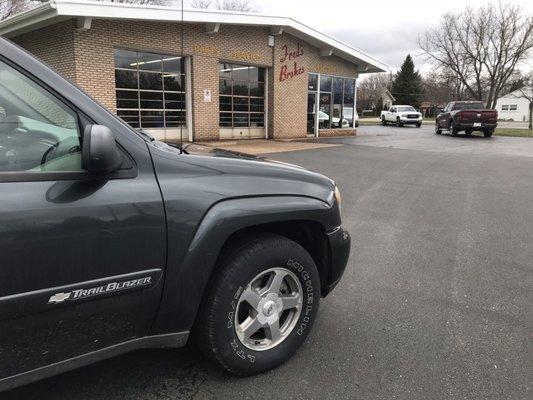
x=264, y=146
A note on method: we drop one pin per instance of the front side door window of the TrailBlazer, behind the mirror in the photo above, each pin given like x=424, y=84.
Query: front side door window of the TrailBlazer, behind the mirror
x=38, y=133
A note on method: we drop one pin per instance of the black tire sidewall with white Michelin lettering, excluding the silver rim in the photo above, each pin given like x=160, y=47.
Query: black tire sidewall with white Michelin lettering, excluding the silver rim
x=237, y=356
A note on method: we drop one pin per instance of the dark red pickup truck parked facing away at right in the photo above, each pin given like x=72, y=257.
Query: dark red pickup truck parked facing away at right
x=467, y=116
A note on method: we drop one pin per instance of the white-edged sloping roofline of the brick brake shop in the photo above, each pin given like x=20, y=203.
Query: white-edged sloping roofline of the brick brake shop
x=59, y=10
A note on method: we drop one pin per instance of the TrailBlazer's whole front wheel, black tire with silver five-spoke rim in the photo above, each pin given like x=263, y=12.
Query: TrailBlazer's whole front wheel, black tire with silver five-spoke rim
x=225, y=314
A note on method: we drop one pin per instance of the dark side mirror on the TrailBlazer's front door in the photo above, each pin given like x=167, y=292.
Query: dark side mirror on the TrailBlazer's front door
x=99, y=154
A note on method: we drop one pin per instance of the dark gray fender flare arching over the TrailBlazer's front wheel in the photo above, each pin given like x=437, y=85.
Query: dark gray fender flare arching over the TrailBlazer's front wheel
x=185, y=281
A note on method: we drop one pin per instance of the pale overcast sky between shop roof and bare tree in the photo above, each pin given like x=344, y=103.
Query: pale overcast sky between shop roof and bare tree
x=386, y=29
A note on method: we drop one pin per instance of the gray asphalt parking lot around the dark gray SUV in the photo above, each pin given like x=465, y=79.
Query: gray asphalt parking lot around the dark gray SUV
x=436, y=301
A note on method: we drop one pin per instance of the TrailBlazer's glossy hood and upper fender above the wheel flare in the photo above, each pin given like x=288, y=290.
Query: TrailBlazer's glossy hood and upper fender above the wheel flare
x=229, y=174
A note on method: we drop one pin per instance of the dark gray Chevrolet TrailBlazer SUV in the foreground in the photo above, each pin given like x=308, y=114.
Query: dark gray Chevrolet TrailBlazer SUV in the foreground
x=111, y=241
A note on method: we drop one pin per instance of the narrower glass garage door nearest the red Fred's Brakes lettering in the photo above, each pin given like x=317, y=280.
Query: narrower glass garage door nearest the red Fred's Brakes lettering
x=241, y=95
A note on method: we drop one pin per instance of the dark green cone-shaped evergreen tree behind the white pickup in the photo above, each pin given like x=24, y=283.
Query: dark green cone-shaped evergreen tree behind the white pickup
x=407, y=84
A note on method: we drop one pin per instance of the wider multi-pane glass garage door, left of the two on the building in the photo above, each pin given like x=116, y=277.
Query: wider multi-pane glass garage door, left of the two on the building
x=150, y=89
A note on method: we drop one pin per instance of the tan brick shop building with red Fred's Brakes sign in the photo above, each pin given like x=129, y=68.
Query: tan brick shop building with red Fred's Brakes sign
x=230, y=75
